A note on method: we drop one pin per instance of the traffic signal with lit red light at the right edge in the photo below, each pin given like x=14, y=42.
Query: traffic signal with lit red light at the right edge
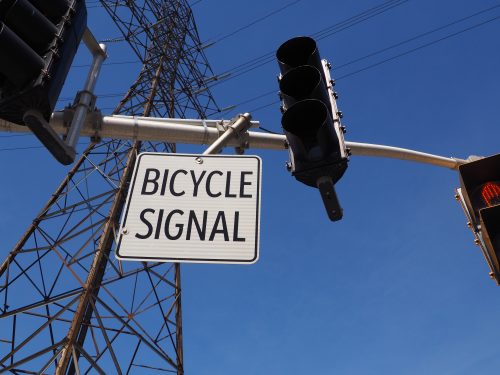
x=480, y=196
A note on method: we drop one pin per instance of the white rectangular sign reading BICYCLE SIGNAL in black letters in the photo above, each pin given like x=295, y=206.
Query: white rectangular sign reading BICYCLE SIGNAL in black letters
x=192, y=208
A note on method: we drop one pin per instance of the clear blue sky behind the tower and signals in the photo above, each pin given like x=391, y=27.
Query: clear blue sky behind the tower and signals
x=397, y=286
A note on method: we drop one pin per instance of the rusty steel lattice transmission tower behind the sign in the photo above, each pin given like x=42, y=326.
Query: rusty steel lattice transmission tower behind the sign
x=67, y=306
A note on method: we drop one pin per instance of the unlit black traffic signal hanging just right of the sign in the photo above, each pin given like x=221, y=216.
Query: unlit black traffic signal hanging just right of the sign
x=311, y=120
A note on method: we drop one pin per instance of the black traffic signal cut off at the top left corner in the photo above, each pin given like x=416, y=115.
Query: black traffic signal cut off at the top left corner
x=38, y=40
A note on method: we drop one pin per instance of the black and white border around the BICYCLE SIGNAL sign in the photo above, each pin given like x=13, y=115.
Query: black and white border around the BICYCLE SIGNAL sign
x=123, y=220
